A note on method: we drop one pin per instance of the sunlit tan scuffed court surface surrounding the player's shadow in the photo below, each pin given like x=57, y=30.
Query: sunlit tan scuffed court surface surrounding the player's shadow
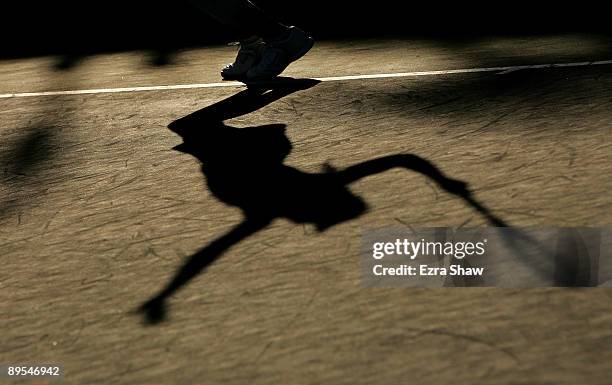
x=97, y=211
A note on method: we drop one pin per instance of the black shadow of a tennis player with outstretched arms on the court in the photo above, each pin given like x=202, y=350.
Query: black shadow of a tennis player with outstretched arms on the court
x=244, y=167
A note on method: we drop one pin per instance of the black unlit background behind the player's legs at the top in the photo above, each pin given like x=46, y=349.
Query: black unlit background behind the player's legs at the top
x=85, y=27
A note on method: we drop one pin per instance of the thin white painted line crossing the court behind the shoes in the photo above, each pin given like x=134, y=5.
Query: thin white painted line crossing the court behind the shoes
x=502, y=70
